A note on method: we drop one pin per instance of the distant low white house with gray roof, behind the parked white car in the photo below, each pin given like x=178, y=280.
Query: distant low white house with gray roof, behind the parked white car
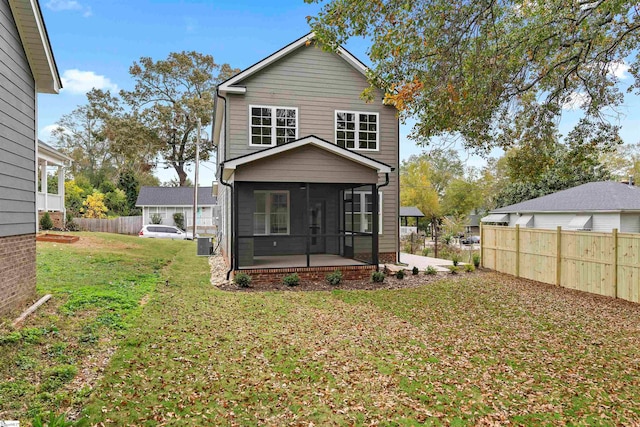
x=166, y=201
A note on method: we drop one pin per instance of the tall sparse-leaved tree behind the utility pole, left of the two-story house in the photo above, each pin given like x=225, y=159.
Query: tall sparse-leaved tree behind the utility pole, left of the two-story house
x=169, y=97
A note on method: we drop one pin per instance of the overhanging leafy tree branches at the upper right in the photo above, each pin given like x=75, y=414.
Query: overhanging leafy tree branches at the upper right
x=490, y=71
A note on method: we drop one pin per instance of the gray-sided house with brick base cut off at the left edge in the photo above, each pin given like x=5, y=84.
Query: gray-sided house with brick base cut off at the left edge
x=27, y=68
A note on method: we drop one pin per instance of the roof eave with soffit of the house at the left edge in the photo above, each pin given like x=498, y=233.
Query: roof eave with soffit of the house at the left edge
x=35, y=40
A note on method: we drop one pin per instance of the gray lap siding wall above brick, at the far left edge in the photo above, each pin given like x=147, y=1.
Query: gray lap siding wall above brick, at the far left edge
x=17, y=132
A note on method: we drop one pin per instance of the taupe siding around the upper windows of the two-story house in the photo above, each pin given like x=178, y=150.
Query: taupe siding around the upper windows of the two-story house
x=318, y=83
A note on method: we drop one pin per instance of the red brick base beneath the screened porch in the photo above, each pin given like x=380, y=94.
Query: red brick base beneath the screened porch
x=275, y=275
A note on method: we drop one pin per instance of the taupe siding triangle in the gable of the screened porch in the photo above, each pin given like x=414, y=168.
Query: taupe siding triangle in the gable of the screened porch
x=306, y=164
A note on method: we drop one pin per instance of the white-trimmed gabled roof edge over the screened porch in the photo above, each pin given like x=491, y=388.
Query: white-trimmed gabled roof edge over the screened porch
x=230, y=166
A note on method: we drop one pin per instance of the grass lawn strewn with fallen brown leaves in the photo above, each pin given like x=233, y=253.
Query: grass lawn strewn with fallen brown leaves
x=475, y=350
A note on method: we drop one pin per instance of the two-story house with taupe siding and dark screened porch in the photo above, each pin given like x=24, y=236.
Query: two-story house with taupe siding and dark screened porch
x=308, y=171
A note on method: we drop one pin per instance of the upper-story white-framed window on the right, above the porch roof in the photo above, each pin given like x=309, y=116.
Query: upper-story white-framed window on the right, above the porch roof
x=357, y=130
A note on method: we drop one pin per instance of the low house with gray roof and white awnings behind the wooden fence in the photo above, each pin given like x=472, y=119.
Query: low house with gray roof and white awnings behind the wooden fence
x=596, y=206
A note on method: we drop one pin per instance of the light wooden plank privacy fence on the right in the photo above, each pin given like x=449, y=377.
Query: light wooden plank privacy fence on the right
x=600, y=263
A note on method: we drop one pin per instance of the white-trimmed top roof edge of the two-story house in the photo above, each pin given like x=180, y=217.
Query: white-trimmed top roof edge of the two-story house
x=229, y=85
